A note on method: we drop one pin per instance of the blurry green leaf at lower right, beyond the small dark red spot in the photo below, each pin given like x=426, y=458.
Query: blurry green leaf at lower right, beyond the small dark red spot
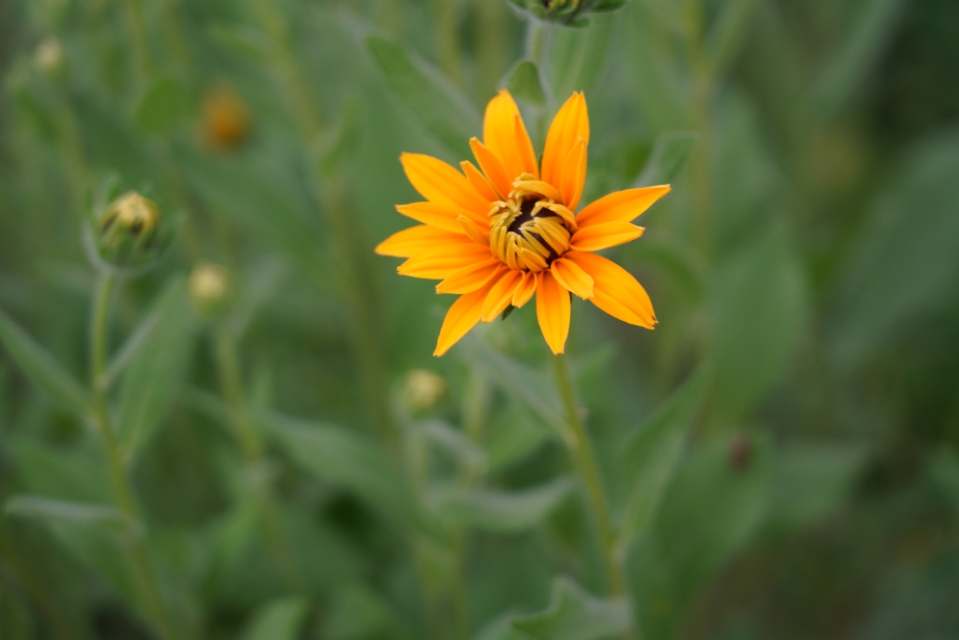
x=811, y=480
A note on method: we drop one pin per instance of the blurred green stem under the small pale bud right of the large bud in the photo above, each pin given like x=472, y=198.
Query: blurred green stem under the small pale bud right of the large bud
x=244, y=430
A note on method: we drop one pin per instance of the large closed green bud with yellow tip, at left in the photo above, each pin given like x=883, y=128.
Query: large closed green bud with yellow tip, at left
x=128, y=233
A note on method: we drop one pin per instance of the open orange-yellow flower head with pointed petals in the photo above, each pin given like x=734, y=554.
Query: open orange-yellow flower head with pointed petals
x=499, y=236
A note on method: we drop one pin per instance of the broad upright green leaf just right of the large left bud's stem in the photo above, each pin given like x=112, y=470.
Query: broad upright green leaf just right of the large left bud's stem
x=157, y=370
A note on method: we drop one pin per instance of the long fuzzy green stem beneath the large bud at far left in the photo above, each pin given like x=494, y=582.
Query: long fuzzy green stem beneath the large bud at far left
x=143, y=574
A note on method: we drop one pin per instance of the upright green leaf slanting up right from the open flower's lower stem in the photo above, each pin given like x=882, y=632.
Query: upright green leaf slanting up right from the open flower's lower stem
x=650, y=456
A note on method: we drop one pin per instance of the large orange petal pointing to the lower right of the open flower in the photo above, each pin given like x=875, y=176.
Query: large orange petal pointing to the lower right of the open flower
x=615, y=290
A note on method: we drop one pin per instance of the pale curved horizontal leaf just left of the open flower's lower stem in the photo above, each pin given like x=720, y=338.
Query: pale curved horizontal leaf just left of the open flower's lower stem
x=502, y=511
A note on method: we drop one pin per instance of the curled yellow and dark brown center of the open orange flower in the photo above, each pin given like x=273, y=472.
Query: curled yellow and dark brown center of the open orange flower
x=530, y=229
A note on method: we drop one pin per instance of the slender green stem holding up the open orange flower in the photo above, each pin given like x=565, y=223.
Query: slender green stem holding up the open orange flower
x=584, y=459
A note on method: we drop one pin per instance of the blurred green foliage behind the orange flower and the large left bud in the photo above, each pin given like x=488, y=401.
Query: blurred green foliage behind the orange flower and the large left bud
x=781, y=453
